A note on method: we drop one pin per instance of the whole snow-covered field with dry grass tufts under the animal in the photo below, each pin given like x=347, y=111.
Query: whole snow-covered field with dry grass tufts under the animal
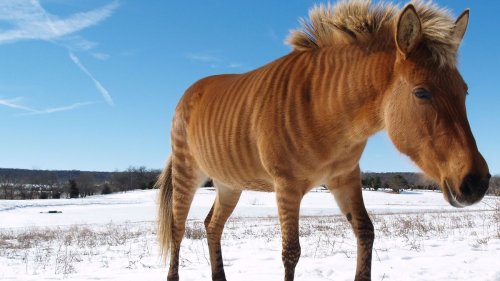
x=112, y=237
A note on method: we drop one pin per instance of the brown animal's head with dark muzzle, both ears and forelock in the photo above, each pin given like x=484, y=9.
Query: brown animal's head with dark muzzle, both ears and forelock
x=424, y=111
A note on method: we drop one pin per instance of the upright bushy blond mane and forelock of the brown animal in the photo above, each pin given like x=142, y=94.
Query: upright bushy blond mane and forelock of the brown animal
x=360, y=22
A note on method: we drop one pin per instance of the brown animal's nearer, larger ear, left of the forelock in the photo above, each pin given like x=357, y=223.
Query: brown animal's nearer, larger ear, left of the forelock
x=408, y=30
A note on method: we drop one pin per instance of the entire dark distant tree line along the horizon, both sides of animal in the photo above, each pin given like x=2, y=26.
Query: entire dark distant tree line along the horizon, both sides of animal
x=39, y=184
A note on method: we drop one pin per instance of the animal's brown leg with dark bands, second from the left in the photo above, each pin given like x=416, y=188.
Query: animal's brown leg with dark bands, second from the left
x=225, y=202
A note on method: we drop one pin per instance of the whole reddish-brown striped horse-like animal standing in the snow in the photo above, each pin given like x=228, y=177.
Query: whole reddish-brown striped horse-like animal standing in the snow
x=303, y=120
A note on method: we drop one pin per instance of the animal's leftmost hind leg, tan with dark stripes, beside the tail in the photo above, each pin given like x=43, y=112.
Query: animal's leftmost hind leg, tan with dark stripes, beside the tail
x=186, y=178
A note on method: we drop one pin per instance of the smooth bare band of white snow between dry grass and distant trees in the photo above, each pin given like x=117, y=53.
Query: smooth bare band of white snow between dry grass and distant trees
x=139, y=206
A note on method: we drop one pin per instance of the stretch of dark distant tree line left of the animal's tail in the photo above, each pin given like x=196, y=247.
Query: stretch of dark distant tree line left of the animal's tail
x=36, y=184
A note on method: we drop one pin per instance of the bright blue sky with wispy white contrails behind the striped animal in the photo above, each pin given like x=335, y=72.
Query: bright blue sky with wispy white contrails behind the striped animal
x=92, y=84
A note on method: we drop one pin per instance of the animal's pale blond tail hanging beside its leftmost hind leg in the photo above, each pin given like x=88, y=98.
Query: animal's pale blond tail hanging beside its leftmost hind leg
x=165, y=215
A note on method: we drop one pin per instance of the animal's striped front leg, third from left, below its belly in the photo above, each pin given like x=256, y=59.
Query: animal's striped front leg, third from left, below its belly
x=288, y=200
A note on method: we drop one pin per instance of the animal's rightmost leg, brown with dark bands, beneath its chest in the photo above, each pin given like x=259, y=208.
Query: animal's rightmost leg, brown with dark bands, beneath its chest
x=347, y=192
